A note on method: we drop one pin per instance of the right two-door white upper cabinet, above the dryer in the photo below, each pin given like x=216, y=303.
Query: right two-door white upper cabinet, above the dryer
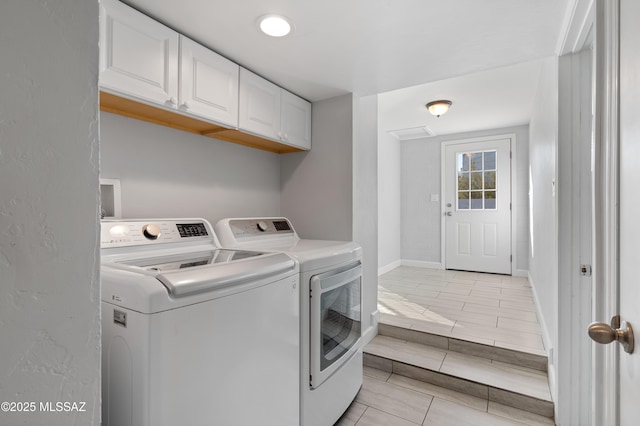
x=269, y=111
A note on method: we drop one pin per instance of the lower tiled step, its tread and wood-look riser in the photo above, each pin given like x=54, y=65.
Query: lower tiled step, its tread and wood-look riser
x=498, y=381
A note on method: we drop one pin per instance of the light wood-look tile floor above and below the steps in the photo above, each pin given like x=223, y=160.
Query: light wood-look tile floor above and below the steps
x=484, y=308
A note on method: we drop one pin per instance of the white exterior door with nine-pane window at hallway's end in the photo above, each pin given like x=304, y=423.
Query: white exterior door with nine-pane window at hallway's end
x=477, y=205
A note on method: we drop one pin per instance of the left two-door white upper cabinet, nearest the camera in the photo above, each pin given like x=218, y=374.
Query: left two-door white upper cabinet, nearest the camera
x=144, y=60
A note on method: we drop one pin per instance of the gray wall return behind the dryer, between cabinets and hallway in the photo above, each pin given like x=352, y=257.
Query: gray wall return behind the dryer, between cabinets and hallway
x=330, y=192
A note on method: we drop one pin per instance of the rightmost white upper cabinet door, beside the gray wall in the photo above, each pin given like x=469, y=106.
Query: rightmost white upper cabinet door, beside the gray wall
x=296, y=121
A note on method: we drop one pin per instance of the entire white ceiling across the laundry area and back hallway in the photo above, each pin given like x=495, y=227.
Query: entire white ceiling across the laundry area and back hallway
x=463, y=50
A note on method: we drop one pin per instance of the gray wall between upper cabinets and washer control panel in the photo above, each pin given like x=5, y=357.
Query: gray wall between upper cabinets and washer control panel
x=165, y=172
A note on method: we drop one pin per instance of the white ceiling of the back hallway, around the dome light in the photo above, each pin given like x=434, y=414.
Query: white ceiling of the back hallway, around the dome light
x=491, y=99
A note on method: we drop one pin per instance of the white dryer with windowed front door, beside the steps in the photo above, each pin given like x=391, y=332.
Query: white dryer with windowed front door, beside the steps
x=330, y=311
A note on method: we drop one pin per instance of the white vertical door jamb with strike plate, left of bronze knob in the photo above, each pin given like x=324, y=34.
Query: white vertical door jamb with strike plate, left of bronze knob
x=574, y=358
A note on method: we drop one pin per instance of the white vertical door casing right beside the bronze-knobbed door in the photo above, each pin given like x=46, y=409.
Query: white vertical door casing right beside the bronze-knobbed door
x=606, y=211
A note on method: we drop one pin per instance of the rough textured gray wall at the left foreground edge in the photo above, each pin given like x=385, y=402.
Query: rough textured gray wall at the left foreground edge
x=49, y=282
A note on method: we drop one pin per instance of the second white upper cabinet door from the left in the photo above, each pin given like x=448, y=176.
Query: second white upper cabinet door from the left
x=208, y=84
